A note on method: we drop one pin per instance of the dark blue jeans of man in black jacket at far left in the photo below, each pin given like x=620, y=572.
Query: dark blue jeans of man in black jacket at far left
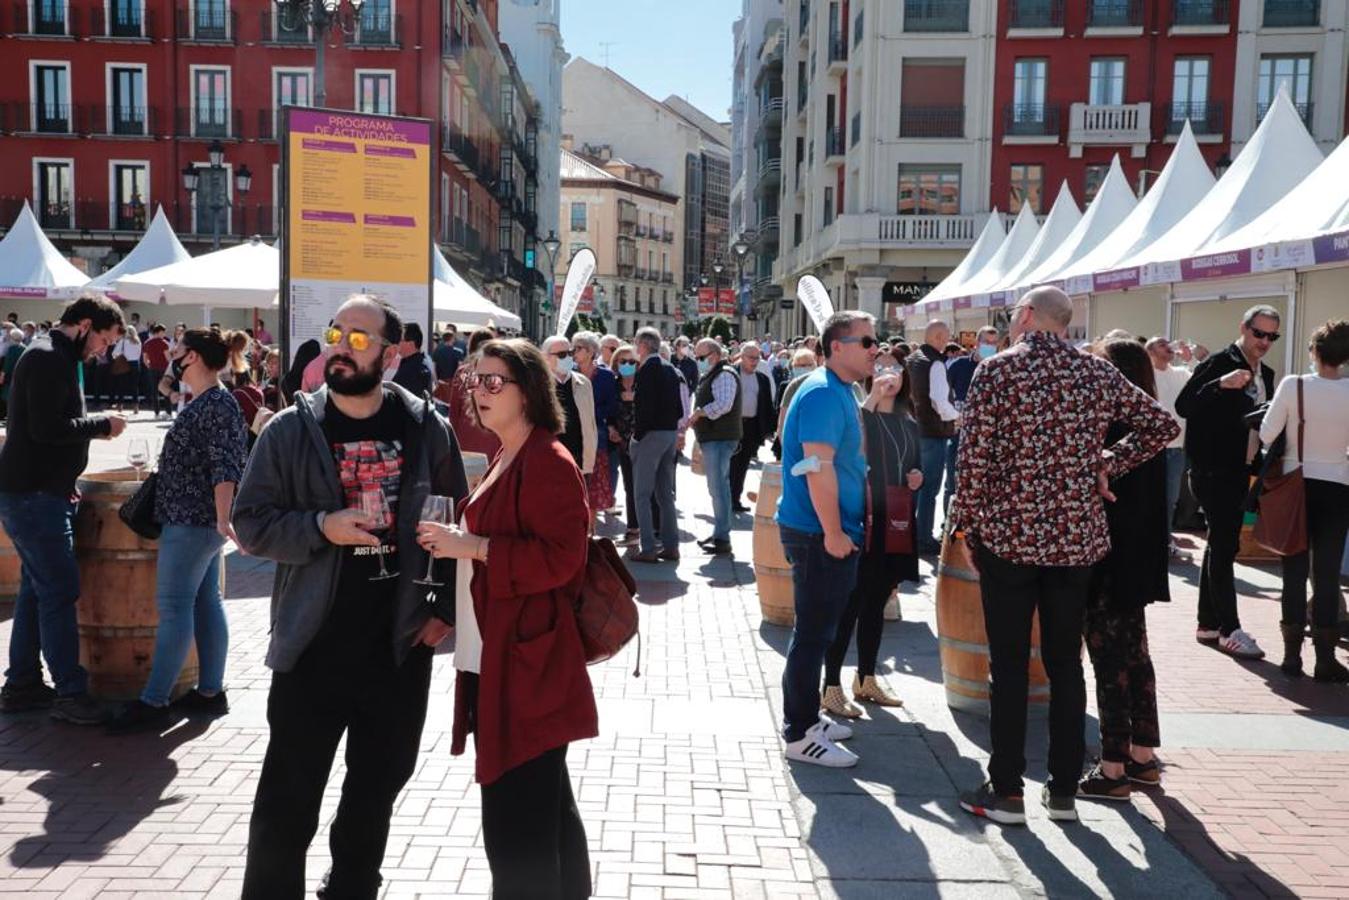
x=42, y=530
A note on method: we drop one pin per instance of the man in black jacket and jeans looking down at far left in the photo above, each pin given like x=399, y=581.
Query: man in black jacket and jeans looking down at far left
x=47, y=450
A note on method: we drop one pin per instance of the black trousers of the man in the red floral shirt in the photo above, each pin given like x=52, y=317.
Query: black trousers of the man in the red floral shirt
x=1011, y=596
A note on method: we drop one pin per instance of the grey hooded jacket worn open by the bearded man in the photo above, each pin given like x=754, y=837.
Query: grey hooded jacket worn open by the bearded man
x=292, y=477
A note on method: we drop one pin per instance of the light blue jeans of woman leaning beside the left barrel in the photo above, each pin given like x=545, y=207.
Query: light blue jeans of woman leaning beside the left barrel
x=188, y=597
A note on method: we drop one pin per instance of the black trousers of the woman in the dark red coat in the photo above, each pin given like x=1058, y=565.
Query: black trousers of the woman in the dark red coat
x=534, y=833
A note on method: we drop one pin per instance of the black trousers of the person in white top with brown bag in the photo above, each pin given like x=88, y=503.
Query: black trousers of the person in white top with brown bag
x=1328, y=524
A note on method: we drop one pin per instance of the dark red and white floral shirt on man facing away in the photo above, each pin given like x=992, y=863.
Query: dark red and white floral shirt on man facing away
x=1034, y=445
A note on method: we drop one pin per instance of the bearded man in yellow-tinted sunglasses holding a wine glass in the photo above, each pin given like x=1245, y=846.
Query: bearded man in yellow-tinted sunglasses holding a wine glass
x=334, y=492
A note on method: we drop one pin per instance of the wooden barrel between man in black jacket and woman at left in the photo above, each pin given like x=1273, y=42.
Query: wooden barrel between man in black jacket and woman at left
x=117, y=613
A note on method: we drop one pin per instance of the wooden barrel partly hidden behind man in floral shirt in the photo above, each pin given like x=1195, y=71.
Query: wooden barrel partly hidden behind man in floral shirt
x=963, y=639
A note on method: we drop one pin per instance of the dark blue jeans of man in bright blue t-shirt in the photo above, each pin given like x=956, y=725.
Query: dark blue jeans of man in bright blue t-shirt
x=821, y=586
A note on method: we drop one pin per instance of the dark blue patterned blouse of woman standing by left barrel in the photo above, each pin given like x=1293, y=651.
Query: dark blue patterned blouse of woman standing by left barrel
x=206, y=447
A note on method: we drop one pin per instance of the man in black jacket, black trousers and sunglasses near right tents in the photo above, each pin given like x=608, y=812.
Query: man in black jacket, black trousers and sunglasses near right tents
x=1223, y=453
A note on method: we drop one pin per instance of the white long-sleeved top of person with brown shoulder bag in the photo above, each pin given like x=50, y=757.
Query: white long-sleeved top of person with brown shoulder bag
x=1327, y=412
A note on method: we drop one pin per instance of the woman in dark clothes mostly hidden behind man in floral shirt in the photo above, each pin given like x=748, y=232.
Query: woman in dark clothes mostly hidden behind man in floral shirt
x=1123, y=585
